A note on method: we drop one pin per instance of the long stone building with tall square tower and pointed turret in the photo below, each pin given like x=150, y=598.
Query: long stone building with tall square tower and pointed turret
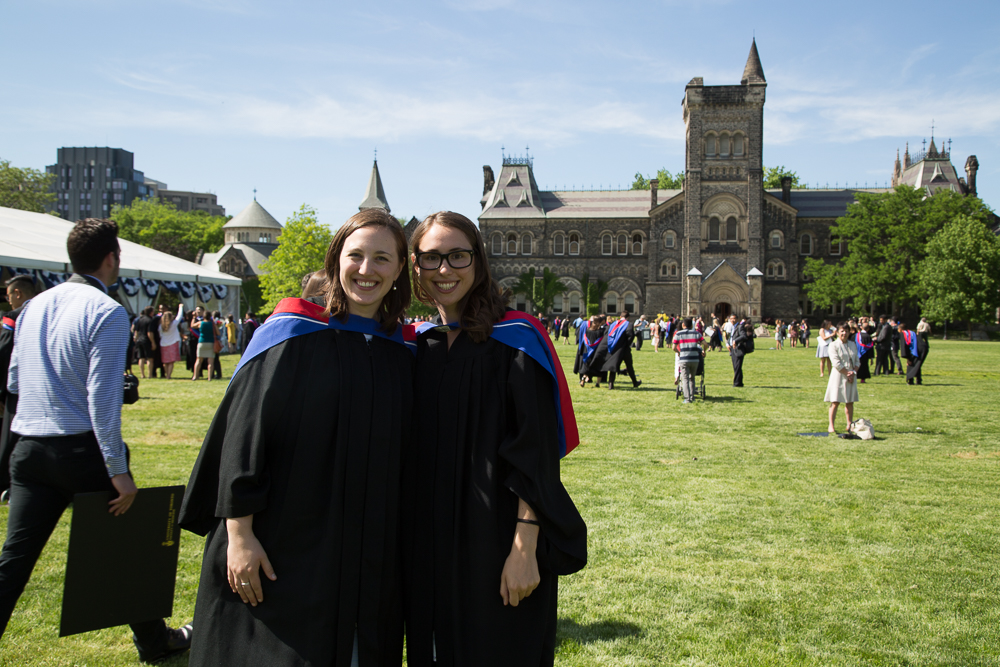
x=723, y=244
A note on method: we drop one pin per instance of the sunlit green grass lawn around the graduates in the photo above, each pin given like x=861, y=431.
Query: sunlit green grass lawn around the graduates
x=718, y=536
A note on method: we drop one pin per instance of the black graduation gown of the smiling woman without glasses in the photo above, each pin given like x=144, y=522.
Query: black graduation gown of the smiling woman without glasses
x=309, y=440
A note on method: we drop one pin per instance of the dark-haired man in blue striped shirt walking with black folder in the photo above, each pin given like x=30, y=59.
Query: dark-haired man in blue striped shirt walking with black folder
x=67, y=370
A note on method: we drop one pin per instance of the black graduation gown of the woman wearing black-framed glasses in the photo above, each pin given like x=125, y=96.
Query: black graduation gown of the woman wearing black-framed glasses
x=485, y=435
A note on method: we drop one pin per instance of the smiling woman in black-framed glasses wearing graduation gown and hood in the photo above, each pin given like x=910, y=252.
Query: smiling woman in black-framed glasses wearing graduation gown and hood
x=488, y=526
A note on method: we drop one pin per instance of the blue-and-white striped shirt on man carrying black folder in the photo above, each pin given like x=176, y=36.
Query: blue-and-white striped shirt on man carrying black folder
x=67, y=368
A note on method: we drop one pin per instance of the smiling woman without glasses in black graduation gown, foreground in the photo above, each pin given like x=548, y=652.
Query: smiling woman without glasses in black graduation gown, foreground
x=297, y=483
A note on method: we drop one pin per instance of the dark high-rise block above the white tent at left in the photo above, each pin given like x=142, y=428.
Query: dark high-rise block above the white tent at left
x=90, y=180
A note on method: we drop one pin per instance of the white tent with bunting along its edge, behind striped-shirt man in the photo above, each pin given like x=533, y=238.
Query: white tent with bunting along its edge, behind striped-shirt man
x=36, y=243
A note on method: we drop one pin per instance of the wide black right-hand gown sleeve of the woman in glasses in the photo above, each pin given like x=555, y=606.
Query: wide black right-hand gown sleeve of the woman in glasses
x=531, y=448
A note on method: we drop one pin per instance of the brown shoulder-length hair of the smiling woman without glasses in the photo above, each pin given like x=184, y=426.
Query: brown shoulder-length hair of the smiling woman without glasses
x=397, y=300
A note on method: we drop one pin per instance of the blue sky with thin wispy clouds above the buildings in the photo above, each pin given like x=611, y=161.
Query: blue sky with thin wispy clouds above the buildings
x=293, y=98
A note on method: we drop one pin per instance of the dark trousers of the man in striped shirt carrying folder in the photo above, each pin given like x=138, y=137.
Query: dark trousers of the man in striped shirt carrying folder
x=45, y=475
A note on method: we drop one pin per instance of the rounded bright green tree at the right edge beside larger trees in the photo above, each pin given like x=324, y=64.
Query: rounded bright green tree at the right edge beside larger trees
x=960, y=278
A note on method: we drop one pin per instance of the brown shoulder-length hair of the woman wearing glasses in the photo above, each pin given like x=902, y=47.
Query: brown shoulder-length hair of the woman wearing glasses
x=485, y=303
